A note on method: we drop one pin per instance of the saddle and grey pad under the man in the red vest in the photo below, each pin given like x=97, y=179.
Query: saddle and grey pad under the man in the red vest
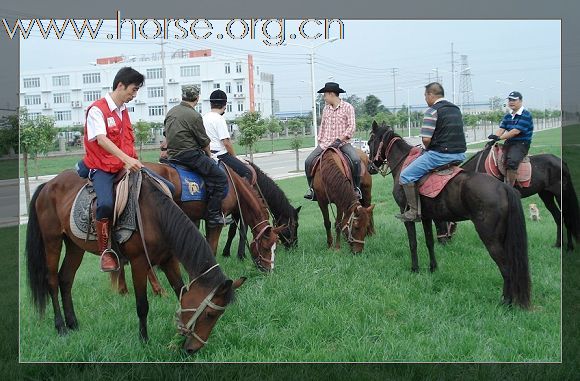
x=82, y=221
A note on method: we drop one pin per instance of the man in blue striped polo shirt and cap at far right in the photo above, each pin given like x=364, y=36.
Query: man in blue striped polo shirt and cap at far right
x=516, y=128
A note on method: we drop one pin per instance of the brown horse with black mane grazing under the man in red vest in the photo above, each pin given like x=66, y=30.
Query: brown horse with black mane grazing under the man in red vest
x=167, y=234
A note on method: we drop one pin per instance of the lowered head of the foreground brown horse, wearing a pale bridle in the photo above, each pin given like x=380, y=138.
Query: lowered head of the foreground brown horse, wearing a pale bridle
x=200, y=307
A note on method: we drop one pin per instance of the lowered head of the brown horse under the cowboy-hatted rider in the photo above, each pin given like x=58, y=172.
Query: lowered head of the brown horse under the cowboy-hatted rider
x=355, y=224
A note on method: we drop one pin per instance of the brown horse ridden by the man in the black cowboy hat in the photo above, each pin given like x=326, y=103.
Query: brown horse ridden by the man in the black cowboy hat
x=354, y=218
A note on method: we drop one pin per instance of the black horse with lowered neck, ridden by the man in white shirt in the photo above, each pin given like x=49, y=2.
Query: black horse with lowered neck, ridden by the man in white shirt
x=283, y=212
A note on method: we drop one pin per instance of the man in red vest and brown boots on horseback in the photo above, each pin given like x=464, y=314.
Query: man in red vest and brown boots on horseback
x=109, y=147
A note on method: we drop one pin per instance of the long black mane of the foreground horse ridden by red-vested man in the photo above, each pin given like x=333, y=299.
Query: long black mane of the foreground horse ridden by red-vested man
x=184, y=239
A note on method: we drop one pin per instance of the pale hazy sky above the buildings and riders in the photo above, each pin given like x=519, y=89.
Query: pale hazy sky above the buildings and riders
x=502, y=55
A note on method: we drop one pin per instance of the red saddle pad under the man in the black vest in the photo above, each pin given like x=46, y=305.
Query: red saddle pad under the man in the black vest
x=431, y=184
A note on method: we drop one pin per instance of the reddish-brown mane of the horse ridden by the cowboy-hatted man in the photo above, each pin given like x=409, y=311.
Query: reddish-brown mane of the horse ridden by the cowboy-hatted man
x=342, y=187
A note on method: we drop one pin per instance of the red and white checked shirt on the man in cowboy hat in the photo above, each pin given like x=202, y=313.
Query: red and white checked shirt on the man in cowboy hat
x=336, y=122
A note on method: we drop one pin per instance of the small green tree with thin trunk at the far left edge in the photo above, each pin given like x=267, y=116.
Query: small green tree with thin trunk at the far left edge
x=36, y=137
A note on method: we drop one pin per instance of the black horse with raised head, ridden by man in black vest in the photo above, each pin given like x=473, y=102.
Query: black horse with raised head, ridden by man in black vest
x=493, y=207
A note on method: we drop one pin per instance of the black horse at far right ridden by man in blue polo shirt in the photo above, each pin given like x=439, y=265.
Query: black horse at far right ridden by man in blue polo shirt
x=551, y=180
